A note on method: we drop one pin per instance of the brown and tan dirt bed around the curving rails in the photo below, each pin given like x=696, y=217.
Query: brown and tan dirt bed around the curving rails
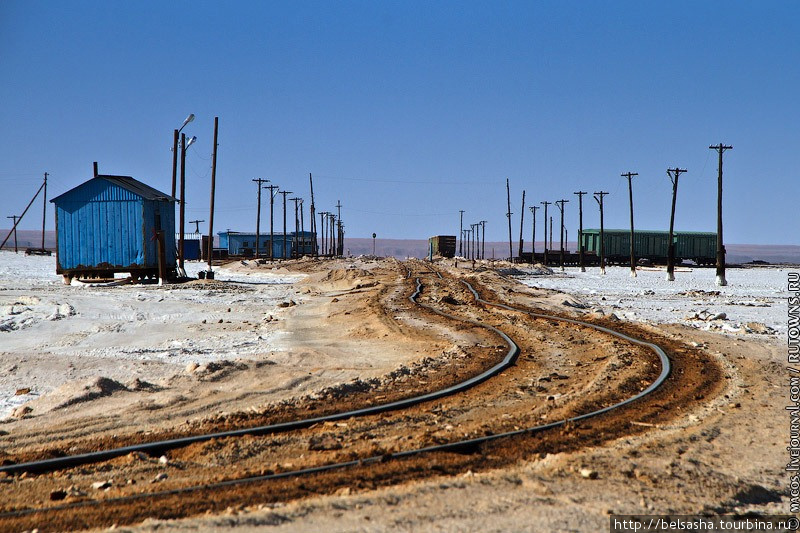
x=709, y=440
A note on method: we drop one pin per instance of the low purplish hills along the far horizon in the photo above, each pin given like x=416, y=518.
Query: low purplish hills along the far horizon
x=401, y=248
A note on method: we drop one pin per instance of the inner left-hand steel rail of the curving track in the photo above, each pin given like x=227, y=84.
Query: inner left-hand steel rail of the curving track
x=159, y=447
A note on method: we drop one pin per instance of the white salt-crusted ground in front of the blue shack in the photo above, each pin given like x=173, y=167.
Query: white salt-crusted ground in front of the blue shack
x=51, y=333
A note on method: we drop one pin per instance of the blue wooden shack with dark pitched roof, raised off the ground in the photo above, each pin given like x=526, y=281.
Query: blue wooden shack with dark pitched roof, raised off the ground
x=108, y=225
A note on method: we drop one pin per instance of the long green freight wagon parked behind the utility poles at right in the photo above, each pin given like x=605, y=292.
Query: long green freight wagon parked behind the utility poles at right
x=699, y=247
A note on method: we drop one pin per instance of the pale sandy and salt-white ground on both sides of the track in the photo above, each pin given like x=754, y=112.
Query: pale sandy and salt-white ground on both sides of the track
x=205, y=348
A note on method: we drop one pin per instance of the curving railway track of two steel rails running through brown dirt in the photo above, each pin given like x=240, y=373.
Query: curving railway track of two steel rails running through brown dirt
x=28, y=516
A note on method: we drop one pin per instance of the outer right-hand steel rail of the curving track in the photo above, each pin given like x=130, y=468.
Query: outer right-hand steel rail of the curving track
x=468, y=445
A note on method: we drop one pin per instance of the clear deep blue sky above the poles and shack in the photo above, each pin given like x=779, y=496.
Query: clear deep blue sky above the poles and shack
x=409, y=111
